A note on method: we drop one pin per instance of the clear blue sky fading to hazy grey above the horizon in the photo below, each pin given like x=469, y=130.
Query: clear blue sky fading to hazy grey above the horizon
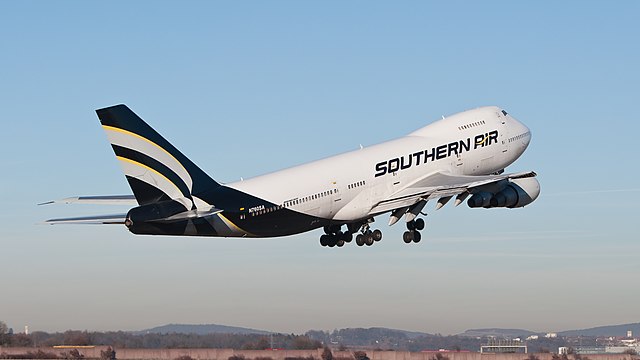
x=245, y=88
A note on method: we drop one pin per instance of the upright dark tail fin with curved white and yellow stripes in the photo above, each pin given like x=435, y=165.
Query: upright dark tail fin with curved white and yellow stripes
x=155, y=170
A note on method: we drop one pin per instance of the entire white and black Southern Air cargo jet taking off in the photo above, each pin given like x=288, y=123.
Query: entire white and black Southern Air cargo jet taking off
x=462, y=155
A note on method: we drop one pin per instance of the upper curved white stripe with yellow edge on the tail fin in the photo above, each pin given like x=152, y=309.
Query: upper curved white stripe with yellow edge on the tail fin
x=142, y=145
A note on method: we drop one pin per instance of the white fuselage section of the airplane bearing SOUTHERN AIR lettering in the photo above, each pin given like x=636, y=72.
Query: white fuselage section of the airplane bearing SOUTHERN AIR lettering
x=346, y=187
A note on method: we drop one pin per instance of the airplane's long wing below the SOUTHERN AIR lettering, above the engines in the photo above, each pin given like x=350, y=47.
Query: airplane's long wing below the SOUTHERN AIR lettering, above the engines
x=437, y=185
